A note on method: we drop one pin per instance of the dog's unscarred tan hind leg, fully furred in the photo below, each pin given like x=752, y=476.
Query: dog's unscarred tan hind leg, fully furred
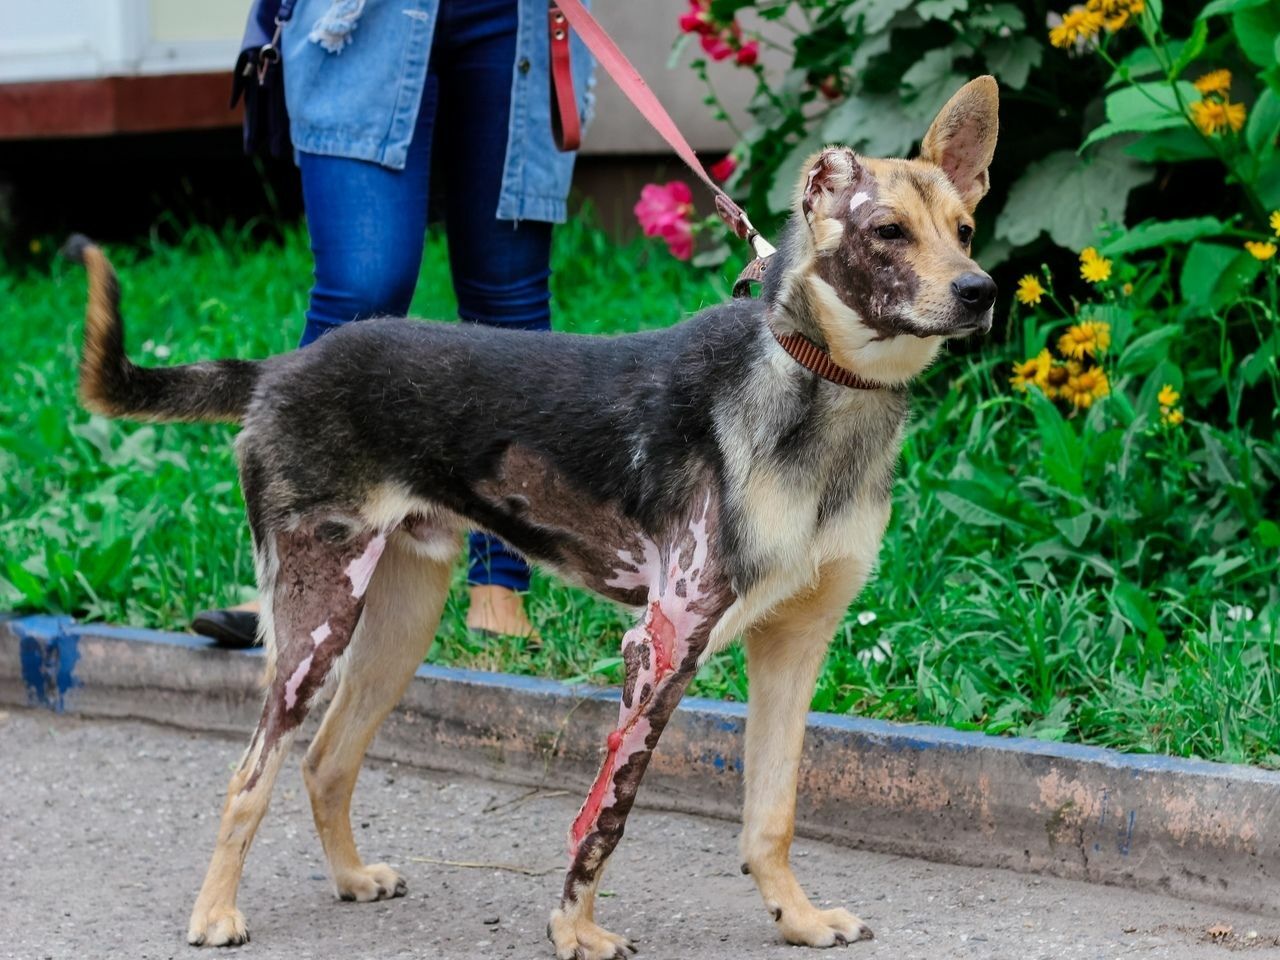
x=401, y=615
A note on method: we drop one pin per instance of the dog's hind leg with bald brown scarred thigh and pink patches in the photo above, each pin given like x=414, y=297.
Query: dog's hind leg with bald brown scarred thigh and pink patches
x=313, y=582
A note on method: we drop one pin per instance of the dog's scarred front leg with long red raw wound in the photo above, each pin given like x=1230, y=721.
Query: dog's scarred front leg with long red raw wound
x=661, y=653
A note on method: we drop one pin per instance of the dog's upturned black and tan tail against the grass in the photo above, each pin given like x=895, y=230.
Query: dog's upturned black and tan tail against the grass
x=113, y=386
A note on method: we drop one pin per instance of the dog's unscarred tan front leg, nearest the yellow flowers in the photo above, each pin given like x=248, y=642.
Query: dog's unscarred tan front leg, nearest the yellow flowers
x=784, y=657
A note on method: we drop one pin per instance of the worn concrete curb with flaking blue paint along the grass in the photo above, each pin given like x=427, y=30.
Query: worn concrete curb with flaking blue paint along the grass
x=1196, y=830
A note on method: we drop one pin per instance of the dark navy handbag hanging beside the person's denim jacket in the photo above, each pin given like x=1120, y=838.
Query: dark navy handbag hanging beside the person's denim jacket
x=259, y=79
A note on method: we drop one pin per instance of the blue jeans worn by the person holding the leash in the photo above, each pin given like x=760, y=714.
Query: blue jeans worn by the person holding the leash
x=368, y=222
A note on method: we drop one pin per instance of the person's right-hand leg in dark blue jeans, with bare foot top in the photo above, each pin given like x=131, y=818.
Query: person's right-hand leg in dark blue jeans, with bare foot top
x=501, y=269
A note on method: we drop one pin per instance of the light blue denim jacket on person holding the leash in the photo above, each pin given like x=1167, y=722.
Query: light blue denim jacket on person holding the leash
x=363, y=100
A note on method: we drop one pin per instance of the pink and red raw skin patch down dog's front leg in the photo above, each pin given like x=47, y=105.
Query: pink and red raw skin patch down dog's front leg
x=678, y=591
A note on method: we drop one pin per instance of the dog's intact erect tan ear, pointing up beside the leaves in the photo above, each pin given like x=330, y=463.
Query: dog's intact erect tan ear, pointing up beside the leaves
x=963, y=139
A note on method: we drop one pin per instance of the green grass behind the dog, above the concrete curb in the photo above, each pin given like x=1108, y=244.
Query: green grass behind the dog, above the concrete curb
x=968, y=624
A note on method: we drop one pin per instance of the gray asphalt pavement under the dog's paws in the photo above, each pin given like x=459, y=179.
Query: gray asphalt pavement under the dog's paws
x=106, y=829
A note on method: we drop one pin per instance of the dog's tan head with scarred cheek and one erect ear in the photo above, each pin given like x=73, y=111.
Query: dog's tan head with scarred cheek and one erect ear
x=883, y=249
